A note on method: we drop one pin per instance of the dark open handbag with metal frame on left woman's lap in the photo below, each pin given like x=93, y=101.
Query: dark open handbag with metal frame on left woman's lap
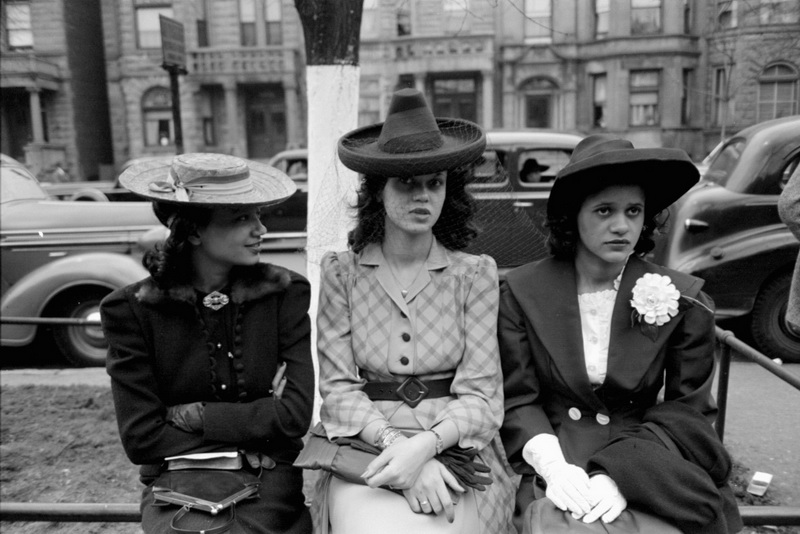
x=207, y=497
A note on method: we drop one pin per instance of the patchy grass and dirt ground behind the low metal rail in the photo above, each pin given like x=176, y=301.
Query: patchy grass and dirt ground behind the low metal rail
x=60, y=444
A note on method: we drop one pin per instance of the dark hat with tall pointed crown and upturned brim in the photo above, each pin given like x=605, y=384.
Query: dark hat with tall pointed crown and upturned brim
x=411, y=141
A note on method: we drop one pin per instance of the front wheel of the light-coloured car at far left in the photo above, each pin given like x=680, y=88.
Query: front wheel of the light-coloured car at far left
x=83, y=346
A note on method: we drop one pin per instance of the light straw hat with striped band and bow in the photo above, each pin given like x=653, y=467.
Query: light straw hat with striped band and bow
x=210, y=180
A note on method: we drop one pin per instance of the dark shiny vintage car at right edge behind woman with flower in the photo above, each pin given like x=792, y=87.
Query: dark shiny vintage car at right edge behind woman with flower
x=726, y=230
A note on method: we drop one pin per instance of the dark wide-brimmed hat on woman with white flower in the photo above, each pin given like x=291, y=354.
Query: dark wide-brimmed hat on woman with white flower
x=602, y=160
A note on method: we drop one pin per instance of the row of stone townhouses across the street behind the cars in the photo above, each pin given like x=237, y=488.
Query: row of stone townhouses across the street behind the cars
x=679, y=73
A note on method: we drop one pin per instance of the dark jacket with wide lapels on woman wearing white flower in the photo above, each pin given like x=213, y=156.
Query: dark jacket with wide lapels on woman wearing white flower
x=544, y=370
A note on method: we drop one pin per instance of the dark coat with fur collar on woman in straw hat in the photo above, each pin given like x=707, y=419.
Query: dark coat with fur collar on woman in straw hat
x=160, y=355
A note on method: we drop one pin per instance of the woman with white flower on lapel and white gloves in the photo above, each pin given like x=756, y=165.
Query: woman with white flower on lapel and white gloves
x=590, y=336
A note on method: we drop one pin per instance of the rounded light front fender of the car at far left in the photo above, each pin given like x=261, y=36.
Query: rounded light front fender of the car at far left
x=31, y=294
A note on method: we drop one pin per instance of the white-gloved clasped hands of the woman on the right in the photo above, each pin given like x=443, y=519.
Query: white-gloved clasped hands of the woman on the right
x=587, y=498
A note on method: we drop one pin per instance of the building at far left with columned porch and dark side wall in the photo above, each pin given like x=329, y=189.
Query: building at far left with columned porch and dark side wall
x=52, y=87
